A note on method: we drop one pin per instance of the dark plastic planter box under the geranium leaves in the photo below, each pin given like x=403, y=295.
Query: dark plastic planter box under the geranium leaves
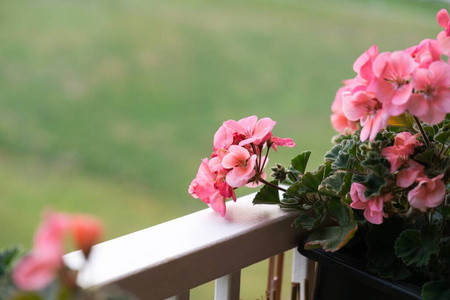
x=341, y=277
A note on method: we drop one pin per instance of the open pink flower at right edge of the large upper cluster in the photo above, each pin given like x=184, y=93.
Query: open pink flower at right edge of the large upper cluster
x=432, y=101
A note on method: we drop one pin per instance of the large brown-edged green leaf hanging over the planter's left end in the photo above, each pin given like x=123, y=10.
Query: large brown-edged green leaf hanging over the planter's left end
x=335, y=237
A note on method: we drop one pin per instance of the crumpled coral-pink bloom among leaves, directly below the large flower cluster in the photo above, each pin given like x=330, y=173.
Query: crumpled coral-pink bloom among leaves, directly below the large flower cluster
x=398, y=154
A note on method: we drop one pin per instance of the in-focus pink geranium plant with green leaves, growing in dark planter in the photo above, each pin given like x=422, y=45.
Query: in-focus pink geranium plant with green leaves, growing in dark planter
x=385, y=181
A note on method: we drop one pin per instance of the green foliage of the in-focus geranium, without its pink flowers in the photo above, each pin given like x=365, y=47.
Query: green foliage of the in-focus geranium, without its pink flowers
x=410, y=244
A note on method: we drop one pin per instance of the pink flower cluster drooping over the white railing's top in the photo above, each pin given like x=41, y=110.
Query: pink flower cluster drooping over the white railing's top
x=237, y=160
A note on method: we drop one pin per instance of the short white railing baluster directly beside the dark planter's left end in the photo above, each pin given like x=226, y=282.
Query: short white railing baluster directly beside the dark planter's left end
x=303, y=271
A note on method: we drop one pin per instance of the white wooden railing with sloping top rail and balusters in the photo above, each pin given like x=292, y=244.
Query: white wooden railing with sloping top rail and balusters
x=169, y=259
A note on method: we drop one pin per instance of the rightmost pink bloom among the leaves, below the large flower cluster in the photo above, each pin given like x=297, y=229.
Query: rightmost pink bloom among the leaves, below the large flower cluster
x=428, y=193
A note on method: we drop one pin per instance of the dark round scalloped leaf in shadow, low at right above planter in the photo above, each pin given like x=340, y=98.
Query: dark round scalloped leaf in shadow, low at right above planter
x=415, y=247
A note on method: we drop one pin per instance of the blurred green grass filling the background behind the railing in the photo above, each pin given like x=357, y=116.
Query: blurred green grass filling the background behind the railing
x=107, y=107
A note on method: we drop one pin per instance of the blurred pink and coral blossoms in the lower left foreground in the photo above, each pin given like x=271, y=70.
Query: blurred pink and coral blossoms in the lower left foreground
x=38, y=269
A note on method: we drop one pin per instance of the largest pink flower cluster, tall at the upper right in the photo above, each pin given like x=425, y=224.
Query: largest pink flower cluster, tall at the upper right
x=387, y=84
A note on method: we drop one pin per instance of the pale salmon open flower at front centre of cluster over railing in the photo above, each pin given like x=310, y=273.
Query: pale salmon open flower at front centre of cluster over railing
x=242, y=166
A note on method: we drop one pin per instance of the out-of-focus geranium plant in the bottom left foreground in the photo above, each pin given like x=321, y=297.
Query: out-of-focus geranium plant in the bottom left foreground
x=41, y=273
